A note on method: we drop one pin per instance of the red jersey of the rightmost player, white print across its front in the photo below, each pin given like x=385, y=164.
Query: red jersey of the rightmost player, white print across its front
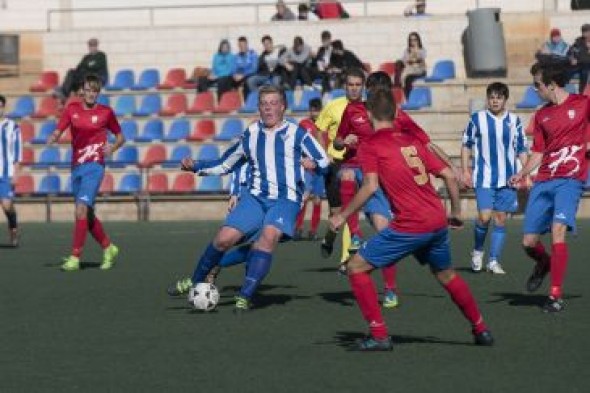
x=561, y=133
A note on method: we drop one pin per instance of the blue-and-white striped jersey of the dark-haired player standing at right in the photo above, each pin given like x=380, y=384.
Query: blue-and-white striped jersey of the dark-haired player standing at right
x=495, y=143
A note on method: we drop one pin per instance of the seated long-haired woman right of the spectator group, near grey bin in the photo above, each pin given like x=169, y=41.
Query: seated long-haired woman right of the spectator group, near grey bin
x=413, y=63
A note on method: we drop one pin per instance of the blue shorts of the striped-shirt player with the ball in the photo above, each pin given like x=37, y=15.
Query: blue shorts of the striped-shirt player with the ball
x=252, y=213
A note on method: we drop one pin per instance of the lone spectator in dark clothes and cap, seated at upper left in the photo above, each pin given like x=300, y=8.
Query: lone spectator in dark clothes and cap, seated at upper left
x=95, y=62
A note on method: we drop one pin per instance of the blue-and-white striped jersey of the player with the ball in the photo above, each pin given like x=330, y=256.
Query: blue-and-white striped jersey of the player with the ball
x=274, y=158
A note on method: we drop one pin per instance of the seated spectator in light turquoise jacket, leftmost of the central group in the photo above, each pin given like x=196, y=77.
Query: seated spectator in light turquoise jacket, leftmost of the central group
x=222, y=69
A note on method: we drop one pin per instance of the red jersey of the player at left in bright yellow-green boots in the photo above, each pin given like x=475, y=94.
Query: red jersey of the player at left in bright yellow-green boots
x=89, y=131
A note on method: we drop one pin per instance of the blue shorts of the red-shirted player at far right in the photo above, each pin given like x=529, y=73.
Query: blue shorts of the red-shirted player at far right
x=552, y=201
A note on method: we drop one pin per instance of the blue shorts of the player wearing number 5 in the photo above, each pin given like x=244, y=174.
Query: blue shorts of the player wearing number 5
x=389, y=247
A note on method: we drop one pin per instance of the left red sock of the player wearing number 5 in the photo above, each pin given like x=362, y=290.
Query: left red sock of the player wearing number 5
x=365, y=293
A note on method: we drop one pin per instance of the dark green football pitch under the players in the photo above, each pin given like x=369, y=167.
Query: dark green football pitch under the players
x=118, y=331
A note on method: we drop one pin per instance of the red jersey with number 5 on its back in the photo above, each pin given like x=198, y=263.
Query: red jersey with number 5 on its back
x=403, y=164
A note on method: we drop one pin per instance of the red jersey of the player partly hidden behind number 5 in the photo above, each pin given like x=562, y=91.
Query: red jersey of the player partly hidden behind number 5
x=355, y=121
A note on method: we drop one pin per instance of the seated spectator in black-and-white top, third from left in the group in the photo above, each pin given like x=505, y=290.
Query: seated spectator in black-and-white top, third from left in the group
x=270, y=67
